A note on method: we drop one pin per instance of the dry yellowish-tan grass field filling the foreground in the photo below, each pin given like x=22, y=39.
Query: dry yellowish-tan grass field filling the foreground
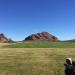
x=34, y=61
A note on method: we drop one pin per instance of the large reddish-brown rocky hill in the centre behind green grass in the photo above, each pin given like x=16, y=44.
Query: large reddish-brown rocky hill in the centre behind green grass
x=44, y=36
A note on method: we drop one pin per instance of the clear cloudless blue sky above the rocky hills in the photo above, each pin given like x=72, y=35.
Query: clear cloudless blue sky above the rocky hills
x=20, y=18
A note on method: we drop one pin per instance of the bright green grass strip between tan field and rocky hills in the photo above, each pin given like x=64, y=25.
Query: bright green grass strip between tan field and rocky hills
x=44, y=44
